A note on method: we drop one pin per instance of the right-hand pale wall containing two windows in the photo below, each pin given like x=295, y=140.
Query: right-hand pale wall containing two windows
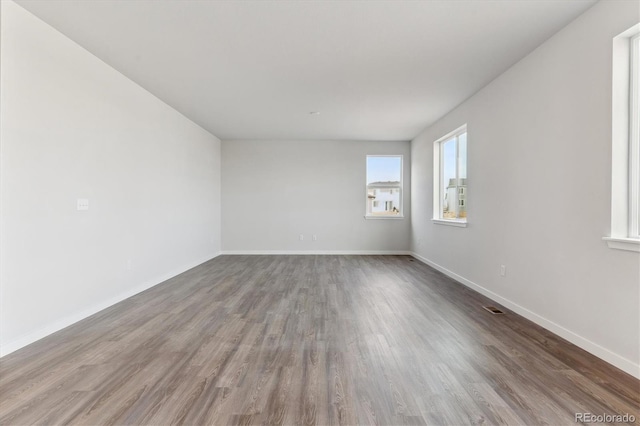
x=539, y=192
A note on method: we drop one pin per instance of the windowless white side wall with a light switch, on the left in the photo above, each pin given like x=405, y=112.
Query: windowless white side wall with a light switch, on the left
x=72, y=127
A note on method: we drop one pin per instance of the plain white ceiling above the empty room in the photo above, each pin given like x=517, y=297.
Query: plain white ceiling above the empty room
x=375, y=70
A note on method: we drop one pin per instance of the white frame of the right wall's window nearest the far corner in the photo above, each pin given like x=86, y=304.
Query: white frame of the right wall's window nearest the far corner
x=438, y=196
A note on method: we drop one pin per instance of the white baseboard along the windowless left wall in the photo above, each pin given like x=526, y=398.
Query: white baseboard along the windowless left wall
x=14, y=345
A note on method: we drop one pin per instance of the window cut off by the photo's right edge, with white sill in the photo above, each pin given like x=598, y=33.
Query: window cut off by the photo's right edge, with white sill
x=625, y=179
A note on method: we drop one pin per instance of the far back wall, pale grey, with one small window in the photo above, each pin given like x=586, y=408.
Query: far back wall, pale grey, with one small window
x=272, y=191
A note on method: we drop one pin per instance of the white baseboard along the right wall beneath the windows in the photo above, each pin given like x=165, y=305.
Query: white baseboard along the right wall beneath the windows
x=601, y=352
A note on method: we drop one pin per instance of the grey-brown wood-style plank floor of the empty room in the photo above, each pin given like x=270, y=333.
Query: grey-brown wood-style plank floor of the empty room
x=308, y=340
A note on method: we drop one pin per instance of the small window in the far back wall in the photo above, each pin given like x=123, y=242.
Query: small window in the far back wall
x=384, y=186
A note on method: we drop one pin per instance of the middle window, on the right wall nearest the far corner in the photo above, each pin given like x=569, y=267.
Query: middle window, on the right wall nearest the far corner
x=450, y=178
